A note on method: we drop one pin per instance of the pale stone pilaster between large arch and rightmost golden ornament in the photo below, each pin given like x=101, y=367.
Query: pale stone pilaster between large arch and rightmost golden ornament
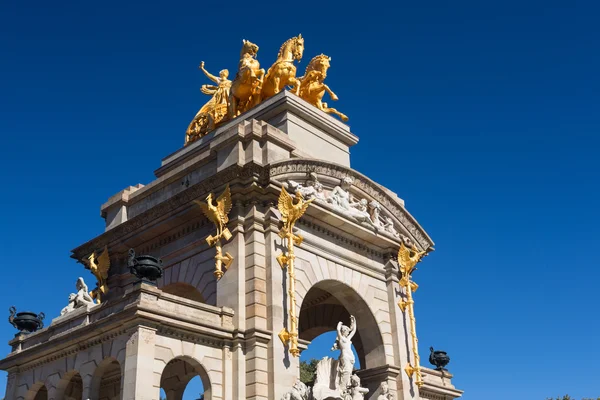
x=400, y=336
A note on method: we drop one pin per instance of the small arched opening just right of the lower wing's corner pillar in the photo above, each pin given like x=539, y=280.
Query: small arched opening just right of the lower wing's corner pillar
x=178, y=373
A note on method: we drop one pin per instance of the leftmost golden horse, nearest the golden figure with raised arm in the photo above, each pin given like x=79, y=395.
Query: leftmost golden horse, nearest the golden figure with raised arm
x=246, y=87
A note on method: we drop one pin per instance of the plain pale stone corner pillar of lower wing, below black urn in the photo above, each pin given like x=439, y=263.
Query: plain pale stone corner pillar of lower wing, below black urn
x=138, y=379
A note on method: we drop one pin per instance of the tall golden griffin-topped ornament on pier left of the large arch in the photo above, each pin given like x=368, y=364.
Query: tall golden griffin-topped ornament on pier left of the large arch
x=291, y=211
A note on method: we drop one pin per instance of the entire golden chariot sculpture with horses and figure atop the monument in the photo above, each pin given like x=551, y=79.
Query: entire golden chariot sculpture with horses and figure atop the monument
x=251, y=86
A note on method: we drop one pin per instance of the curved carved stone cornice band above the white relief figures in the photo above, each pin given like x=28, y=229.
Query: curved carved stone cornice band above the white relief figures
x=409, y=224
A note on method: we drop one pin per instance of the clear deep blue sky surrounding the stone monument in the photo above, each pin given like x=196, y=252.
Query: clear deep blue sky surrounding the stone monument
x=483, y=117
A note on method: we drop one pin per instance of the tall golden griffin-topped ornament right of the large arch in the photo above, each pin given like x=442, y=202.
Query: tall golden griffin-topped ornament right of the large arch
x=407, y=259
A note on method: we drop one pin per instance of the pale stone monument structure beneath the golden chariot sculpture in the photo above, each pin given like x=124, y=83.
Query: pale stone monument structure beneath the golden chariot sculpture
x=141, y=338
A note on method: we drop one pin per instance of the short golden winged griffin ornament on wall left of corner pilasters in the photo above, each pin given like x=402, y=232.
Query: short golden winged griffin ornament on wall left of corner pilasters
x=218, y=215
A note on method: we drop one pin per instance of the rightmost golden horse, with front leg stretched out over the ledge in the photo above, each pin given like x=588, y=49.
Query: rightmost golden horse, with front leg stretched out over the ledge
x=312, y=88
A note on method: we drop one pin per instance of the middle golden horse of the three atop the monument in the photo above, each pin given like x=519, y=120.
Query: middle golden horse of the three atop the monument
x=283, y=72
